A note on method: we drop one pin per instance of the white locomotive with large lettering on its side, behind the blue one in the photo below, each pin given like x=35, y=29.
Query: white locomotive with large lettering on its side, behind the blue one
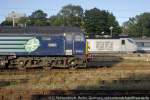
x=111, y=45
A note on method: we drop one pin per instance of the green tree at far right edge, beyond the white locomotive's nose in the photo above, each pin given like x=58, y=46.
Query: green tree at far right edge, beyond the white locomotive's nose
x=138, y=26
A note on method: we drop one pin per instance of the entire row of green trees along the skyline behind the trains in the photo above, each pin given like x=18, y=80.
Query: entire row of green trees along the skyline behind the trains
x=92, y=21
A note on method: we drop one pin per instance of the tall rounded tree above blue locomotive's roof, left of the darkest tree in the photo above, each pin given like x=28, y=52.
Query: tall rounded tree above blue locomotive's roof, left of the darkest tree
x=69, y=15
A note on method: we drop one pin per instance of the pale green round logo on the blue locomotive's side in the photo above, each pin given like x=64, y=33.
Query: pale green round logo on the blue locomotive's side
x=32, y=44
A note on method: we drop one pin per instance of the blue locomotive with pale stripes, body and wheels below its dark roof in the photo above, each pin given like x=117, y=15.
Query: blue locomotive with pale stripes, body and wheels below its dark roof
x=42, y=50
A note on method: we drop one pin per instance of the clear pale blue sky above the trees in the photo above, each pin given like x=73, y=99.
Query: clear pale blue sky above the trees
x=122, y=9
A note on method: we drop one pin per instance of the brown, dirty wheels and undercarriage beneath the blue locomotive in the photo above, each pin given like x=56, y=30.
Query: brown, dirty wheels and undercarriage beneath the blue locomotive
x=23, y=63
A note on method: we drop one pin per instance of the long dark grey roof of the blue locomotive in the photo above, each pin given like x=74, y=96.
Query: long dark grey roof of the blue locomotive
x=40, y=29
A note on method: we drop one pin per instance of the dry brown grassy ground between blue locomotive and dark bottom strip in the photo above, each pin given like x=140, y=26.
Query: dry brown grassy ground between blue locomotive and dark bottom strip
x=122, y=76
